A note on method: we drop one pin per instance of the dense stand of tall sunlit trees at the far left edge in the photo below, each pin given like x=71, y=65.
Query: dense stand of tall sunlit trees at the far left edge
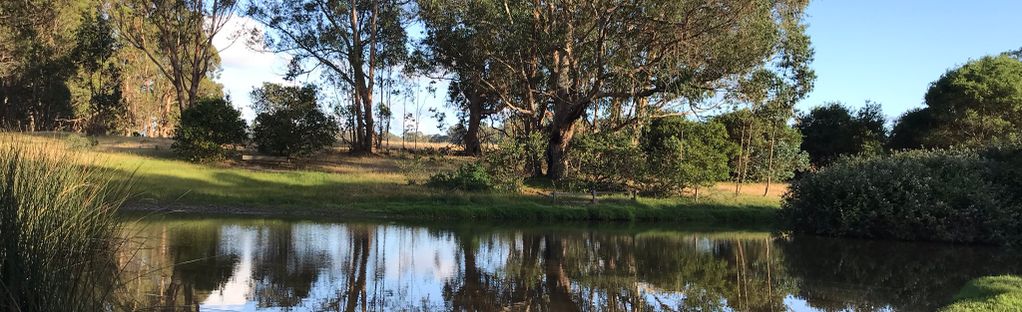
x=107, y=67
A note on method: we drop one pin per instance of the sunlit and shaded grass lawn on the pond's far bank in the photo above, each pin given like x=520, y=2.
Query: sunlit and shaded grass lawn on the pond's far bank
x=340, y=186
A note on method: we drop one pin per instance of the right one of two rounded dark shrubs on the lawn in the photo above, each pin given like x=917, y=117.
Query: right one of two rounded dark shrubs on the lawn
x=294, y=132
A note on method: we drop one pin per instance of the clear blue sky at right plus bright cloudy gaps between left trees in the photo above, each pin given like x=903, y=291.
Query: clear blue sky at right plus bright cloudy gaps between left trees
x=885, y=52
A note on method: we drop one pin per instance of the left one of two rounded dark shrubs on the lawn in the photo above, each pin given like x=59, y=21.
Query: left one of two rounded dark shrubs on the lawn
x=206, y=129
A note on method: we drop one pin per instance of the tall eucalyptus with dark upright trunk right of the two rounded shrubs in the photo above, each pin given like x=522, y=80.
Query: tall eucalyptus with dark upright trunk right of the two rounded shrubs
x=348, y=40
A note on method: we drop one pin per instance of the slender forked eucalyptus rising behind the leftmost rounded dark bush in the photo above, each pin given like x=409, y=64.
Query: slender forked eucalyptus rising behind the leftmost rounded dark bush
x=177, y=37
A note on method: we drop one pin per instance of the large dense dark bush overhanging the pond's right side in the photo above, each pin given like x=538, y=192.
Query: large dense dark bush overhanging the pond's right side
x=949, y=196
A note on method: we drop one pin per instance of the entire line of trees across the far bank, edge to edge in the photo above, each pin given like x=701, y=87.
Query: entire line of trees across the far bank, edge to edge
x=695, y=92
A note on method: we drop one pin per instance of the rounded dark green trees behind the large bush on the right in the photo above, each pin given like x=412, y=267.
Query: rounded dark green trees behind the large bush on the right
x=973, y=106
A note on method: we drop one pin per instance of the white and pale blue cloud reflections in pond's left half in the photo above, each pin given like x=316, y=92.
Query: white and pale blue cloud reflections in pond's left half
x=407, y=265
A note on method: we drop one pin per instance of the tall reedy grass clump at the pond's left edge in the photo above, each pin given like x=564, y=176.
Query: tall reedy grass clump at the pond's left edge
x=58, y=231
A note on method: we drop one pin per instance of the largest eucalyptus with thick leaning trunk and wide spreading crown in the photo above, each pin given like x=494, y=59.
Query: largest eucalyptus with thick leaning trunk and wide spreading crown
x=556, y=60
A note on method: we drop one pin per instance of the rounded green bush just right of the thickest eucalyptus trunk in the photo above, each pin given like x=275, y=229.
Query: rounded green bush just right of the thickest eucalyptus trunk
x=606, y=162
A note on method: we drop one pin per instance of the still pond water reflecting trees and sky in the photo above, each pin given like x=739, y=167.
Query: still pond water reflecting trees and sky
x=275, y=265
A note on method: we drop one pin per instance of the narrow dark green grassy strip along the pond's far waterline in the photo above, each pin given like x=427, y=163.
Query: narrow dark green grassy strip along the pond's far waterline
x=698, y=214
